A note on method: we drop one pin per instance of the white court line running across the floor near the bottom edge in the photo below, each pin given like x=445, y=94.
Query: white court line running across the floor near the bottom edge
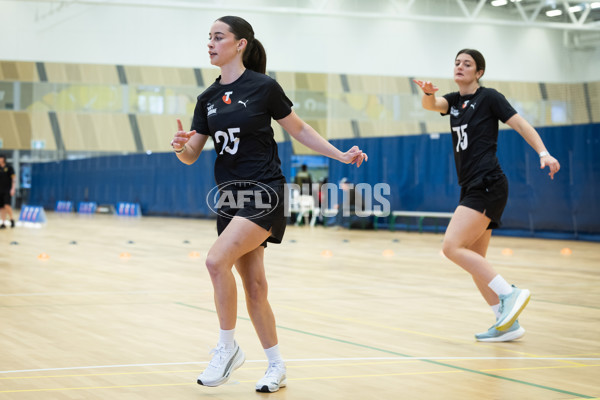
x=315, y=359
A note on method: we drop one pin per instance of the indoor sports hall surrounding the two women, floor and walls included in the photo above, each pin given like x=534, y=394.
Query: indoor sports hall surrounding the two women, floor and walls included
x=104, y=288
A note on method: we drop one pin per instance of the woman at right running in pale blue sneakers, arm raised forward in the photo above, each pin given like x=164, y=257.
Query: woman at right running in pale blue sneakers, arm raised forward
x=474, y=114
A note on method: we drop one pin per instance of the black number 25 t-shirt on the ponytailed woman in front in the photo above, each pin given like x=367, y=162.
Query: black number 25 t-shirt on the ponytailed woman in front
x=238, y=118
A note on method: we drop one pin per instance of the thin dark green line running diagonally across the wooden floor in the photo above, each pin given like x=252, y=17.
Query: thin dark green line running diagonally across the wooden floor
x=406, y=355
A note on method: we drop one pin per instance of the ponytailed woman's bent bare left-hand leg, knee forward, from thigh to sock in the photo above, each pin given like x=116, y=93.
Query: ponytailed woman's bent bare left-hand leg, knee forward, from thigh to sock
x=240, y=237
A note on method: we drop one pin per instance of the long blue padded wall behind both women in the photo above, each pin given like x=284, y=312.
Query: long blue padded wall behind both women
x=419, y=169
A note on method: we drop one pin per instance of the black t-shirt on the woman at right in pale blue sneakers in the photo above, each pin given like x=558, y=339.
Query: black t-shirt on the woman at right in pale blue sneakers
x=474, y=123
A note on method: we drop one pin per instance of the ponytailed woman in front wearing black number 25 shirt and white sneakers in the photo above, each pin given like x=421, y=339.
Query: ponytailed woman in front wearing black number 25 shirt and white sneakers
x=236, y=111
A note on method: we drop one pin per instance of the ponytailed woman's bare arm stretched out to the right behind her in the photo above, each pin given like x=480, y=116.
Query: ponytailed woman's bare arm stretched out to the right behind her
x=306, y=135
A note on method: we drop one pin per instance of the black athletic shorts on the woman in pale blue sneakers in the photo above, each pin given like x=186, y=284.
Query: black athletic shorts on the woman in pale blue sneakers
x=489, y=197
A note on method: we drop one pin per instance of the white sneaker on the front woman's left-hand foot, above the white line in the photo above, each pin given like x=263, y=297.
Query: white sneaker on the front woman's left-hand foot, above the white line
x=220, y=367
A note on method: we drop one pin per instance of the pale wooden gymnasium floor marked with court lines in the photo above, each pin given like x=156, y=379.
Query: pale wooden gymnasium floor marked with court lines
x=122, y=309
